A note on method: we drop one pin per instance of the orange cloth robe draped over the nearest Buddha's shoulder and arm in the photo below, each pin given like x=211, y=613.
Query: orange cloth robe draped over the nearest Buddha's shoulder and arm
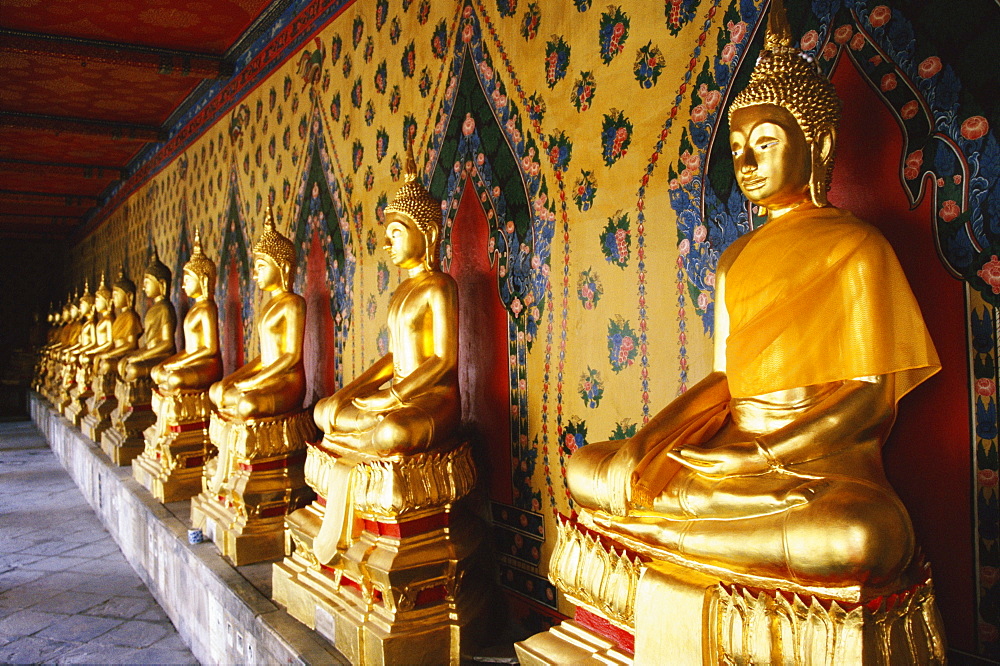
x=813, y=297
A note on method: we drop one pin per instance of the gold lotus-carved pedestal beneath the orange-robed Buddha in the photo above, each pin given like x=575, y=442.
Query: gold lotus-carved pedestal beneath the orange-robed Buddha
x=701, y=614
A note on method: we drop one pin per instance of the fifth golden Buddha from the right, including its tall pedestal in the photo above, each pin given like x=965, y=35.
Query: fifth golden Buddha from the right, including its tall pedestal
x=123, y=441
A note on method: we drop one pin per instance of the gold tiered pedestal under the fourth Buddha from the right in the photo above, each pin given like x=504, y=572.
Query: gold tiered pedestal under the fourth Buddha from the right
x=177, y=445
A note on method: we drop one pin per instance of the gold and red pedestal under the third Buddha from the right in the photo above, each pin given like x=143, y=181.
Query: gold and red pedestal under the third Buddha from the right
x=254, y=482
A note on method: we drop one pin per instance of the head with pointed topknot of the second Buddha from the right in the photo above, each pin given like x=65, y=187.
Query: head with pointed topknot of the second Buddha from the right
x=413, y=223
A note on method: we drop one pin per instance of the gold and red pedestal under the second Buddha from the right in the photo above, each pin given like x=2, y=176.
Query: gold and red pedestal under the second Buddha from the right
x=412, y=587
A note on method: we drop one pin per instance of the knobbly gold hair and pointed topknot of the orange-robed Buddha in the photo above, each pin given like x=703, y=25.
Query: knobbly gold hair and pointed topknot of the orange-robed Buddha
x=786, y=77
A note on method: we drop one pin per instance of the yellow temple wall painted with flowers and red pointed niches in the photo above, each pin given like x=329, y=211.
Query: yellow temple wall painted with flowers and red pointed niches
x=575, y=149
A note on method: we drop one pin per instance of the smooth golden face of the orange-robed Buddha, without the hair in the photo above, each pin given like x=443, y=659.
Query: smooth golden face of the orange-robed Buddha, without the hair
x=771, y=156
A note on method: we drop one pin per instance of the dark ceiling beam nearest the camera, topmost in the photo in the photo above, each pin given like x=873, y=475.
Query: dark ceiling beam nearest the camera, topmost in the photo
x=162, y=61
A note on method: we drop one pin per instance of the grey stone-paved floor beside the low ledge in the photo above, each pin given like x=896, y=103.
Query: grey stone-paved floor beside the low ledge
x=67, y=595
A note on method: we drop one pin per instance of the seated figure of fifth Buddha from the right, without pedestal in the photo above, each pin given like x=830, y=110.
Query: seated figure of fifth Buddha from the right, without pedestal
x=159, y=324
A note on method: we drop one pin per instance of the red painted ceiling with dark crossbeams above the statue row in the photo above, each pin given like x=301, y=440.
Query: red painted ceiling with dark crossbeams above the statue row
x=86, y=84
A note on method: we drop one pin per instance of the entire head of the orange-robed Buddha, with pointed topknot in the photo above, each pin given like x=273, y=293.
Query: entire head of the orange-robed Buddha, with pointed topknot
x=783, y=125
